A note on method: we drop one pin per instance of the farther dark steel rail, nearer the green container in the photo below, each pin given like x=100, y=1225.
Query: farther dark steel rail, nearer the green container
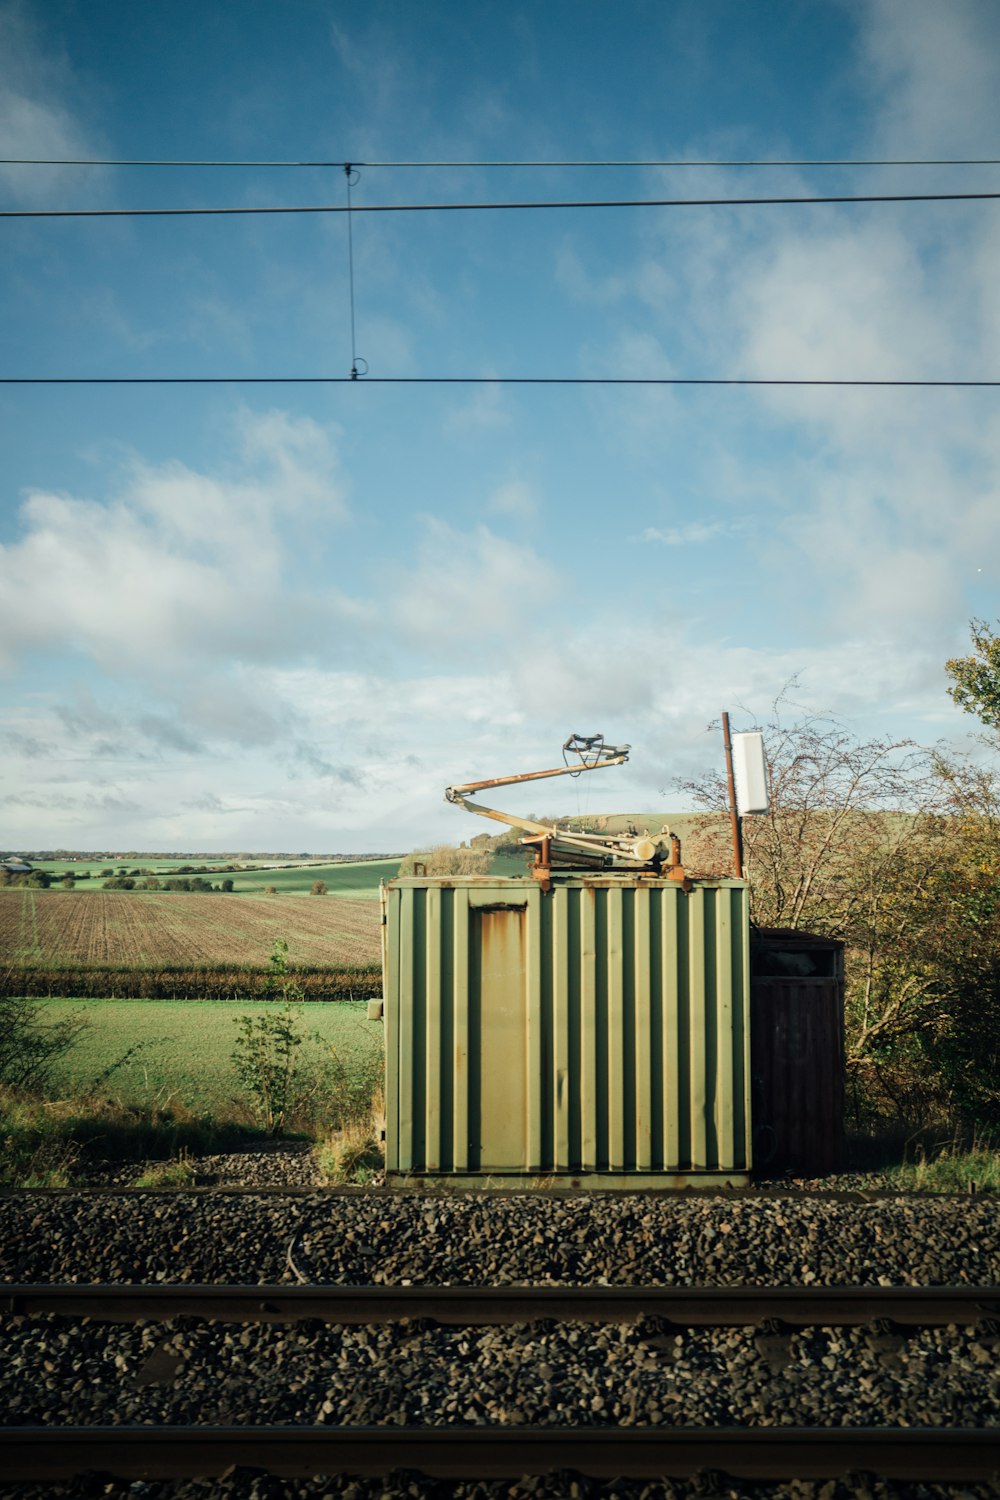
x=687, y=1307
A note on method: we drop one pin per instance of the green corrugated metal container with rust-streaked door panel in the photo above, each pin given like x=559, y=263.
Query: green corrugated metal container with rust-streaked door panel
x=596, y=1034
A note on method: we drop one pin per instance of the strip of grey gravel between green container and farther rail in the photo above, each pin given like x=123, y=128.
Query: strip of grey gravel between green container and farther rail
x=494, y=1240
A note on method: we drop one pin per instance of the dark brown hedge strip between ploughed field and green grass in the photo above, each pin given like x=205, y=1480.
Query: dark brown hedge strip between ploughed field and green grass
x=220, y=982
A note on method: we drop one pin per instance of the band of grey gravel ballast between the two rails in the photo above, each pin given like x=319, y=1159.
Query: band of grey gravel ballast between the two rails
x=573, y=1375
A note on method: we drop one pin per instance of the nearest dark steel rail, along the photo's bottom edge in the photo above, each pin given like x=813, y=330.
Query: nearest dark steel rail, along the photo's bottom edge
x=770, y=1454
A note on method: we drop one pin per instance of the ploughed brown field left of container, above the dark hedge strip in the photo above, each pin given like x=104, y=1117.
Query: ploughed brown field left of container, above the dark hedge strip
x=148, y=929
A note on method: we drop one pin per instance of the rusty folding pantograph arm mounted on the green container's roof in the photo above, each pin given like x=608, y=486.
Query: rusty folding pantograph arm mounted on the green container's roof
x=567, y=848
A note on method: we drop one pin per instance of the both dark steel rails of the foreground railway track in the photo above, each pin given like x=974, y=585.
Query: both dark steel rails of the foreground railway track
x=767, y=1454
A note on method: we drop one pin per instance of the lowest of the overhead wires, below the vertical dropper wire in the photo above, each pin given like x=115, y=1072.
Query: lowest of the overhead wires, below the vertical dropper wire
x=488, y=380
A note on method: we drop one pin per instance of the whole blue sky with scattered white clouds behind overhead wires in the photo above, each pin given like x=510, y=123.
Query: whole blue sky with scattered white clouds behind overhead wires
x=286, y=617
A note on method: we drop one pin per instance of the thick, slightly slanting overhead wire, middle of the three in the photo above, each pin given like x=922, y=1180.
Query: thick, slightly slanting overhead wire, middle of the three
x=476, y=208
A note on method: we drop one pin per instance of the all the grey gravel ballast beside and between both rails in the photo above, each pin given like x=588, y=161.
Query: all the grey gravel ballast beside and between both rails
x=193, y=1372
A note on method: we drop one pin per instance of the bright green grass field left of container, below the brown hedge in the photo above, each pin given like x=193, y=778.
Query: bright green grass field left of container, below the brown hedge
x=184, y=1049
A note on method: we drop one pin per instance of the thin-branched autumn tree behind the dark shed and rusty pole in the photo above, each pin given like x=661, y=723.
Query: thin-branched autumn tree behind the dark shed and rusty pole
x=861, y=844
